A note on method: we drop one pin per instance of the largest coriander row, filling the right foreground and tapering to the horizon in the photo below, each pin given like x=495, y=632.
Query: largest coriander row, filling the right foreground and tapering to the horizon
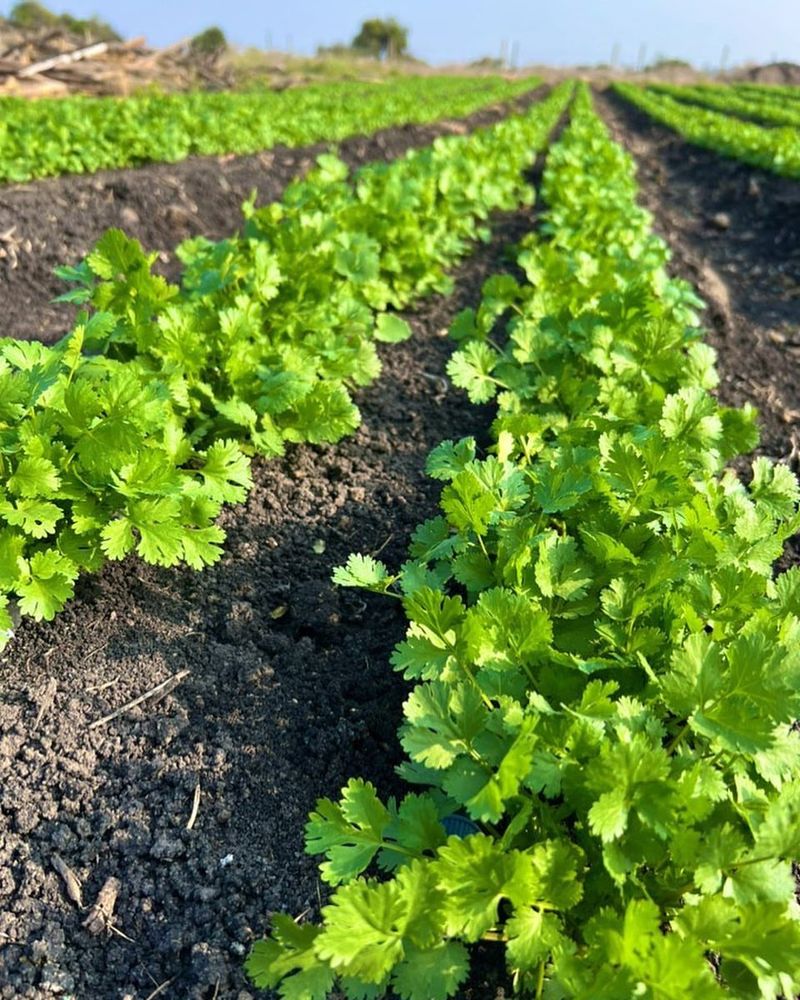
x=606, y=671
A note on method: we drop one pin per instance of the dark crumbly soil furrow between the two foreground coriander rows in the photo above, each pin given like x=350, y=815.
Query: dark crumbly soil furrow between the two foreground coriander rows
x=289, y=694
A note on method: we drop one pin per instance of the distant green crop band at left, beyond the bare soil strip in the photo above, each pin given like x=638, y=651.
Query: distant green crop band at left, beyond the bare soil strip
x=85, y=134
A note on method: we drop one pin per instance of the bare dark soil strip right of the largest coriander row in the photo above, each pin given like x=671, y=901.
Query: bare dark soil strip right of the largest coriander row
x=735, y=234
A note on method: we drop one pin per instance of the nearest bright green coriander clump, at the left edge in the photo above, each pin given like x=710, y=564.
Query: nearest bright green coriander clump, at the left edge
x=95, y=464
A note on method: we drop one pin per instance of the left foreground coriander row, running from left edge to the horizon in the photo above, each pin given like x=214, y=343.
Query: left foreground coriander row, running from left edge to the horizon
x=130, y=433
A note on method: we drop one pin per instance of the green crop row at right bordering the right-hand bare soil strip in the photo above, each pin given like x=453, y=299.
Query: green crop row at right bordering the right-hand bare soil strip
x=775, y=149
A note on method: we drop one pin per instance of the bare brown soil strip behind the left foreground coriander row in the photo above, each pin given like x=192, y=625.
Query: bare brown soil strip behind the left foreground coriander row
x=48, y=223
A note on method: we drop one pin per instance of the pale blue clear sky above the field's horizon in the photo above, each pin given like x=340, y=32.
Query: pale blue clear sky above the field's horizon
x=559, y=32
